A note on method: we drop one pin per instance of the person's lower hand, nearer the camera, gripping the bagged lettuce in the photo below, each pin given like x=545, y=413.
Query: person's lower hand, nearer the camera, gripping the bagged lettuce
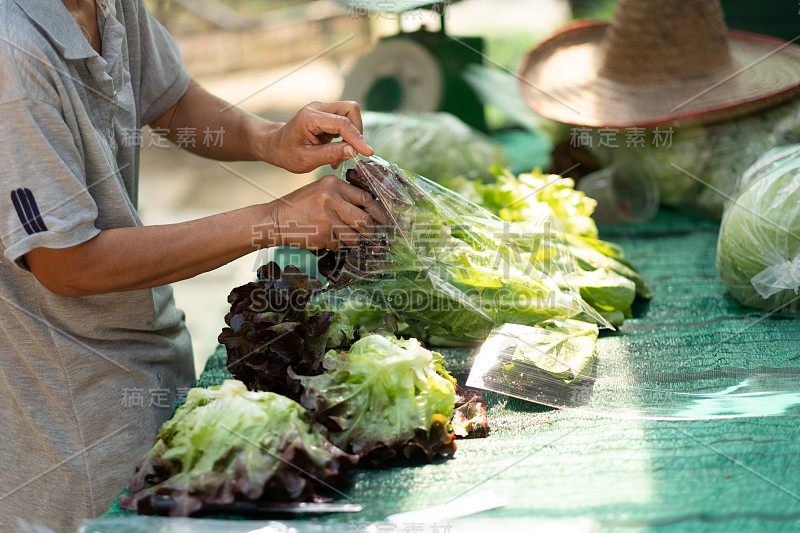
x=327, y=214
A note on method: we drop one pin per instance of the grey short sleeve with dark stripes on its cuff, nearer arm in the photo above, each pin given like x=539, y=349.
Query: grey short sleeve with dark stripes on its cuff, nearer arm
x=44, y=200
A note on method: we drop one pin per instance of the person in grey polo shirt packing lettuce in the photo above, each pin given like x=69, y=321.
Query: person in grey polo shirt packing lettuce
x=94, y=351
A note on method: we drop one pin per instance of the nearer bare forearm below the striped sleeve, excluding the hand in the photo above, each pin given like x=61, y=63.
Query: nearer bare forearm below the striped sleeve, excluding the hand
x=126, y=259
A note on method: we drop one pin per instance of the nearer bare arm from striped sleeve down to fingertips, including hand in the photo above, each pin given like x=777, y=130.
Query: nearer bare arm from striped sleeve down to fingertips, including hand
x=321, y=215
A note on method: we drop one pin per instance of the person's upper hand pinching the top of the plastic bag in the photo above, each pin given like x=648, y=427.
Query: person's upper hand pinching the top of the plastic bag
x=304, y=143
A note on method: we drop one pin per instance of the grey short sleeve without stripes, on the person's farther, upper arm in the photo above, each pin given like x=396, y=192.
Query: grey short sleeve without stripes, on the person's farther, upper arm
x=163, y=78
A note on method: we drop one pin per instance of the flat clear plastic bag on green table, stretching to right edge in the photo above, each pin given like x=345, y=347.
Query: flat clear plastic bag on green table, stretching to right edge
x=555, y=364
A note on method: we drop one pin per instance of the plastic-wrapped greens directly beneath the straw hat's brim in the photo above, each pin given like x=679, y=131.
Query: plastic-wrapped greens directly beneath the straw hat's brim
x=697, y=167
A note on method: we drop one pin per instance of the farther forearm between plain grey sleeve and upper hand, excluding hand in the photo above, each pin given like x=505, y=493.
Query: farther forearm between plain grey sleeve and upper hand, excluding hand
x=210, y=127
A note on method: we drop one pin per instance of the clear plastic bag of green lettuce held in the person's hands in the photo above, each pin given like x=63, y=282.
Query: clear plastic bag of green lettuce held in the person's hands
x=449, y=268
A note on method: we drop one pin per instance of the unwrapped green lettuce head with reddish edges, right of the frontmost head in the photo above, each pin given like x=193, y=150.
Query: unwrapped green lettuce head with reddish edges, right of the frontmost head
x=381, y=395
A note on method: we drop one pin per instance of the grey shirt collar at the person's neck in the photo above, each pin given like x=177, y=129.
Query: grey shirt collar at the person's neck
x=54, y=19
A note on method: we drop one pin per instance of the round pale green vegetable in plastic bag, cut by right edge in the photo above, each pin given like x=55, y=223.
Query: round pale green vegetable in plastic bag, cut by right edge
x=758, y=252
